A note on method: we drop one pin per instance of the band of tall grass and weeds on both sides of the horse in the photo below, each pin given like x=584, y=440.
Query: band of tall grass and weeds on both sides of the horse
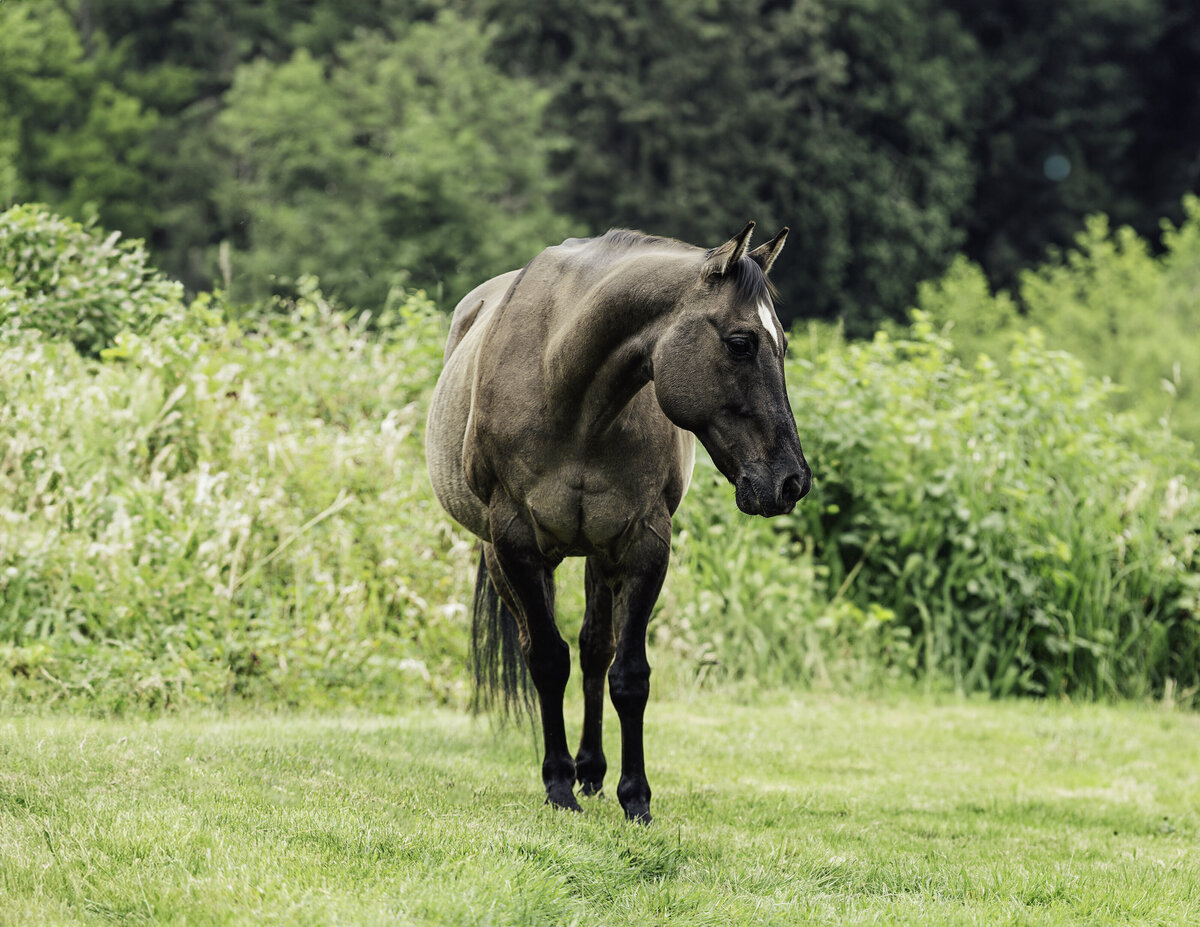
x=219, y=504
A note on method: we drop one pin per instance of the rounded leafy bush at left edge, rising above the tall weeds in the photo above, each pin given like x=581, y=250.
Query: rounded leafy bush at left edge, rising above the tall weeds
x=75, y=283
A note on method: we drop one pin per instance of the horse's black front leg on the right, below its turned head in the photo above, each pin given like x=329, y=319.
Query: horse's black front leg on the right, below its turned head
x=637, y=583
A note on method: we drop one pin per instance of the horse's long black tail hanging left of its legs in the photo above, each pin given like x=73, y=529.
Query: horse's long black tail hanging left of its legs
x=502, y=679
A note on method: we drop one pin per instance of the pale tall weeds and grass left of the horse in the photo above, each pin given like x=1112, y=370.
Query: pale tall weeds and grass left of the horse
x=227, y=509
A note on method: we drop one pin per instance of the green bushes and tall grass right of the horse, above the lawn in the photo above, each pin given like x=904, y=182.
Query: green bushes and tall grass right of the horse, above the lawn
x=992, y=529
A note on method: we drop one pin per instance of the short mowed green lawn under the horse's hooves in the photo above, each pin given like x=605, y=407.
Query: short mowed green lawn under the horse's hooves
x=814, y=810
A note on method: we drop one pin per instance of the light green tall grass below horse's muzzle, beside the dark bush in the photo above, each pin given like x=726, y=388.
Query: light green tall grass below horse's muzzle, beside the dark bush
x=747, y=601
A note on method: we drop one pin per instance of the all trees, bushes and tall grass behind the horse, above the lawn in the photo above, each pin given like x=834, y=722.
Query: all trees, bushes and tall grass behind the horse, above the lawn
x=231, y=235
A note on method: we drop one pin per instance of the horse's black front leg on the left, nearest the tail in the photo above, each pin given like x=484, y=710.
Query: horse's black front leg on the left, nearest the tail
x=530, y=581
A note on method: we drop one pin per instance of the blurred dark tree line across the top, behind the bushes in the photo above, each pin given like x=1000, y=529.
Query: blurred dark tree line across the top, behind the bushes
x=434, y=143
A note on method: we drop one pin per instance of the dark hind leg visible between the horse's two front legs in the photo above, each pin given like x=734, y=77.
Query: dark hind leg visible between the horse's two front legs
x=597, y=647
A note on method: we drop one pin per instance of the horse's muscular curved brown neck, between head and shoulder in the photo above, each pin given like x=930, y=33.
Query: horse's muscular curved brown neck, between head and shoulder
x=601, y=357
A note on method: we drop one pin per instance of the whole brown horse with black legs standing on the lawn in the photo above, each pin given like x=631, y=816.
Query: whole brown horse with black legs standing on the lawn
x=563, y=424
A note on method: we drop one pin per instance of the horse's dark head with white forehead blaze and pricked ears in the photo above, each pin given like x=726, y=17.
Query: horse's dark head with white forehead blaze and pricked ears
x=719, y=373
